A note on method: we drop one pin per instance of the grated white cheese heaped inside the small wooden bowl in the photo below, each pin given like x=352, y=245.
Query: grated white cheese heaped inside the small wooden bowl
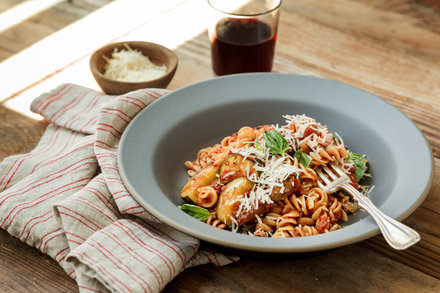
x=131, y=66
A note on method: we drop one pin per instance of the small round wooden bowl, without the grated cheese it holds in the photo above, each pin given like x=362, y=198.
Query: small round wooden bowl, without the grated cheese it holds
x=158, y=54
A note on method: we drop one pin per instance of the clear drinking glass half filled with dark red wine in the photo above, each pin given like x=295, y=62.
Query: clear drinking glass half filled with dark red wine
x=243, y=35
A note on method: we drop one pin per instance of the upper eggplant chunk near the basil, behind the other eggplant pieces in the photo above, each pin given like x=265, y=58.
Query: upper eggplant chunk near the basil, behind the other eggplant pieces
x=234, y=166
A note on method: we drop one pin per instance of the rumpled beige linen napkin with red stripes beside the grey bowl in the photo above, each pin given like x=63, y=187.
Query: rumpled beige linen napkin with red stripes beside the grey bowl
x=67, y=199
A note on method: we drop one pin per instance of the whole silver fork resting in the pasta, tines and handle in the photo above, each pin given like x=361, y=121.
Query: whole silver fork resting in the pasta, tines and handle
x=398, y=235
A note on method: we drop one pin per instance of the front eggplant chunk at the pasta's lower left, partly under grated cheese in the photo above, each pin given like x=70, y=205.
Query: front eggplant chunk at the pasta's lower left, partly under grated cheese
x=228, y=203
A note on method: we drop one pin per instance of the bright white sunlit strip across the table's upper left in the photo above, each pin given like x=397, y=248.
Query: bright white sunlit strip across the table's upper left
x=67, y=41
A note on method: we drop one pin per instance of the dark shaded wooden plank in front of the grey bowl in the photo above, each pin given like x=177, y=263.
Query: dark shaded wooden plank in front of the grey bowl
x=348, y=269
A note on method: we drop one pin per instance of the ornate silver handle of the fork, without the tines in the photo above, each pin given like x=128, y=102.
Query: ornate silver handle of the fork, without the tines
x=398, y=235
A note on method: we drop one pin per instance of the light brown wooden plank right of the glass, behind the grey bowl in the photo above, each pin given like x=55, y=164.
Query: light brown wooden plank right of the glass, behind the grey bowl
x=323, y=44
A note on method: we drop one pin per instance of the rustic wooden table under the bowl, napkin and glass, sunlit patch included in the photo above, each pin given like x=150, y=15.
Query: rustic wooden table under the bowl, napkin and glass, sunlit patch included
x=390, y=48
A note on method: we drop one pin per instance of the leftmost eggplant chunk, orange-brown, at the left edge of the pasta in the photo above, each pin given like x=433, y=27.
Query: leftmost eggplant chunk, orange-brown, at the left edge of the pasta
x=205, y=177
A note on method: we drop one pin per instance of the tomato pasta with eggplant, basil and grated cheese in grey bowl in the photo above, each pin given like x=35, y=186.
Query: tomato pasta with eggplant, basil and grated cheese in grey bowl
x=262, y=181
